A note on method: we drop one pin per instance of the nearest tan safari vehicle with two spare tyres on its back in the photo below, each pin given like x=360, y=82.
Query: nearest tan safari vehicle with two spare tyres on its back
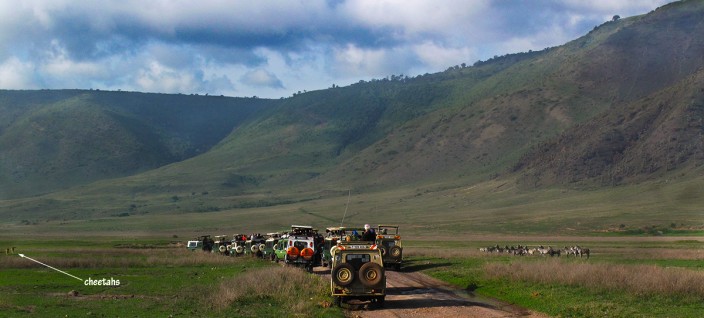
x=357, y=273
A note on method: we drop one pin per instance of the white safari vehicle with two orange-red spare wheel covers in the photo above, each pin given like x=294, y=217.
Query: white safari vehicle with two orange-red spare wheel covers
x=300, y=249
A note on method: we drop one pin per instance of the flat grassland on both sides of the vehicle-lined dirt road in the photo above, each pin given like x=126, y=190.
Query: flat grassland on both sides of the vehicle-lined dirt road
x=159, y=277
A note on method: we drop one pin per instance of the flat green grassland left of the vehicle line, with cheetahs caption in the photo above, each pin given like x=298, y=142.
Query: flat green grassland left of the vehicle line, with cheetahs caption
x=158, y=278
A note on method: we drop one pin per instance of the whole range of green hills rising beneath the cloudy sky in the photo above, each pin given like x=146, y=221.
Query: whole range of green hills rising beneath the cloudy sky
x=620, y=106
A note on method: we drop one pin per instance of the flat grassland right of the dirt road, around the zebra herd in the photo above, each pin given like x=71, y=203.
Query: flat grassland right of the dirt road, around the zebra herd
x=624, y=277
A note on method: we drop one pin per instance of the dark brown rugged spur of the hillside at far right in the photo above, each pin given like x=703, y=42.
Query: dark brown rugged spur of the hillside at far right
x=642, y=140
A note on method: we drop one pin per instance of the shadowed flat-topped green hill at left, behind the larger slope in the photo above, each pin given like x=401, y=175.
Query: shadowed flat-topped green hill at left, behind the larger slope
x=53, y=140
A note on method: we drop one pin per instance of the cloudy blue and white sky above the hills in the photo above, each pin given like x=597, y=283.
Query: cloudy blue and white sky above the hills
x=273, y=48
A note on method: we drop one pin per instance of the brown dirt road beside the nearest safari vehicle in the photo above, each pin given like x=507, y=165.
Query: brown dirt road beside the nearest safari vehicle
x=413, y=294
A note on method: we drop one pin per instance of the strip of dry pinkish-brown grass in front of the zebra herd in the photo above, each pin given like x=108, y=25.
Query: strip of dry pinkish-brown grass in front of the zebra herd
x=639, y=279
